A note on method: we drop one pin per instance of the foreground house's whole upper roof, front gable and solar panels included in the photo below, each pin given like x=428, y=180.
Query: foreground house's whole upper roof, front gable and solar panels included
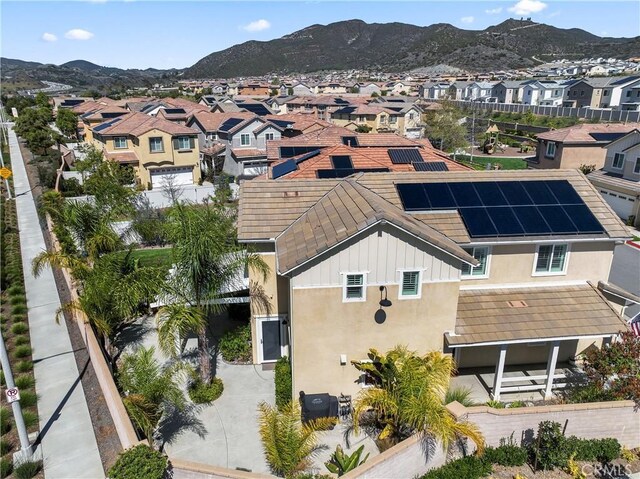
x=290, y=212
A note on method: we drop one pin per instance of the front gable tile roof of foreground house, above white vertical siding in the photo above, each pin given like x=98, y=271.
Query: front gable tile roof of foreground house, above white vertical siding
x=342, y=212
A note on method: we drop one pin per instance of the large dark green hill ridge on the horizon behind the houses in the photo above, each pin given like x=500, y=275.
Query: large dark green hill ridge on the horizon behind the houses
x=398, y=46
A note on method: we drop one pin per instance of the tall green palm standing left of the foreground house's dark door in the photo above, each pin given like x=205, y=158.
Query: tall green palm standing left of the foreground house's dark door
x=208, y=262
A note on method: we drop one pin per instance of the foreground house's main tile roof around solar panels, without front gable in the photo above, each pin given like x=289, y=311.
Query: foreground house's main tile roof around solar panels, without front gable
x=267, y=207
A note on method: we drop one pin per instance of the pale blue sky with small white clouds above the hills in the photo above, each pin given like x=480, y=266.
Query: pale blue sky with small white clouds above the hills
x=142, y=34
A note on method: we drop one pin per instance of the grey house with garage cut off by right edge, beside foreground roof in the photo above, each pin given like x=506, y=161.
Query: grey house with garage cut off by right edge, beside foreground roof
x=619, y=180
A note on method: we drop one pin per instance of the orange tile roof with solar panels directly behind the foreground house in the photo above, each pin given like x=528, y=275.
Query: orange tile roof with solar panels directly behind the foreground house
x=339, y=161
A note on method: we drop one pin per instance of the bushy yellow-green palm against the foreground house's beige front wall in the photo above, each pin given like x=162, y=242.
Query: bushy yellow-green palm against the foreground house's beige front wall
x=410, y=397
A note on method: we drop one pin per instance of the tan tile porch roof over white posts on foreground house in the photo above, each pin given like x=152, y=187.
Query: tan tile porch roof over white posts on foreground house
x=485, y=316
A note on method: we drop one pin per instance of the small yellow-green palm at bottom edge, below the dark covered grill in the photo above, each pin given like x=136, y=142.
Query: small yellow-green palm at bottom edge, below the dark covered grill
x=289, y=445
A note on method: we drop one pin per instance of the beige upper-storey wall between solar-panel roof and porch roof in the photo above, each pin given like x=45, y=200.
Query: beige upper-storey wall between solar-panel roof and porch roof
x=511, y=264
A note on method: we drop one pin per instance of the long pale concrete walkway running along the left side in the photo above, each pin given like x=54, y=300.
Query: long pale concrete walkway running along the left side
x=67, y=441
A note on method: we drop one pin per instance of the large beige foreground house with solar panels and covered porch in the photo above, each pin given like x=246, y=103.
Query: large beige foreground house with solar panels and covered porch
x=495, y=268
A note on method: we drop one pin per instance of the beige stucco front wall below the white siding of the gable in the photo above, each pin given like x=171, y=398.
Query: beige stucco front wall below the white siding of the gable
x=323, y=328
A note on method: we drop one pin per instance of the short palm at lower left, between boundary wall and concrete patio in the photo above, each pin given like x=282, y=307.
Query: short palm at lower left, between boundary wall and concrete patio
x=150, y=390
